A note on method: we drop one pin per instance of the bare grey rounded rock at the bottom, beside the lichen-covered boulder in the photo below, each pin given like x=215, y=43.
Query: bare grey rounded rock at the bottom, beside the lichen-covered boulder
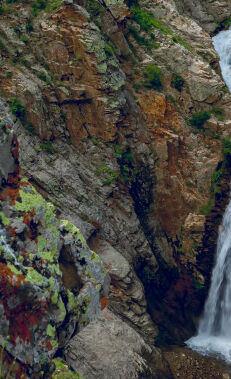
x=109, y=348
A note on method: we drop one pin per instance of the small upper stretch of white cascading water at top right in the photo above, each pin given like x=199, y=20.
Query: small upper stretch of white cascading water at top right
x=222, y=45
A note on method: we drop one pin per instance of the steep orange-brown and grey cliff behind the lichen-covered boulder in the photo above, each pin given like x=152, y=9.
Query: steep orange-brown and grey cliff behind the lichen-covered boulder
x=115, y=152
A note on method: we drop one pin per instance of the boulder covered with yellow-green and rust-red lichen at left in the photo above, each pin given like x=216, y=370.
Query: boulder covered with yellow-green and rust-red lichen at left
x=41, y=306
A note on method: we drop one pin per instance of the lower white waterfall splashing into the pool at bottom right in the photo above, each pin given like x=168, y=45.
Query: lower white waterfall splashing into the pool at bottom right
x=214, y=333
